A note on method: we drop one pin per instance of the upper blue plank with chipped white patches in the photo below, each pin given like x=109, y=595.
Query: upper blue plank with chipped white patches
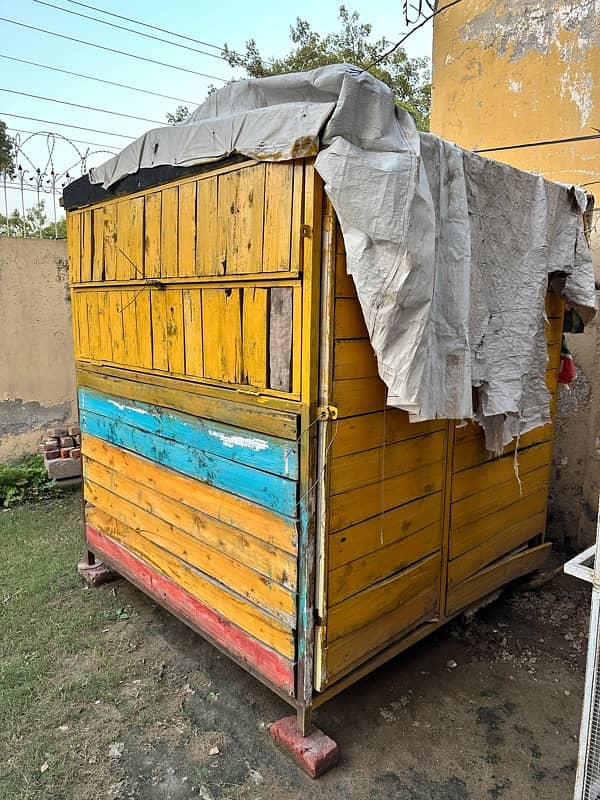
x=257, y=450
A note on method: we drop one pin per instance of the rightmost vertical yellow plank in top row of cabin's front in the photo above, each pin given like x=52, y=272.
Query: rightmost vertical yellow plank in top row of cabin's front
x=279, y=181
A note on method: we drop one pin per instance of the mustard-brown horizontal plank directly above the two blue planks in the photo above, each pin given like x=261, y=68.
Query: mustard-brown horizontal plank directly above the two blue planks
x=234, y=408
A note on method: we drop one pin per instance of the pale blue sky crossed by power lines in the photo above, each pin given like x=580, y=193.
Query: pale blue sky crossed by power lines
x=232, y=21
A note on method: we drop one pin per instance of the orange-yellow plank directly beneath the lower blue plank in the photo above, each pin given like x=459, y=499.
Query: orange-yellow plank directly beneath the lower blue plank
x=235, y=512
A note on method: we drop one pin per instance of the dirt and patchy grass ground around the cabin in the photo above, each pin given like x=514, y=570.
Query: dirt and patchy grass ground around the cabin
x=131, y=704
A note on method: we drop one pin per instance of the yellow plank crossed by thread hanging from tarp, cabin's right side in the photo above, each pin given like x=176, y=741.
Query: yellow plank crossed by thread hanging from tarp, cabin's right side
x=499, y=470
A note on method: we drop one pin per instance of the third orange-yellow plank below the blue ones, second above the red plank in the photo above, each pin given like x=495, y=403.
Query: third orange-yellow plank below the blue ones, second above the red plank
x=265, y=593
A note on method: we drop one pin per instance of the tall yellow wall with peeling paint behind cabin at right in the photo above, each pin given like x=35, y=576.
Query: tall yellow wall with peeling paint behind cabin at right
x=507, y=72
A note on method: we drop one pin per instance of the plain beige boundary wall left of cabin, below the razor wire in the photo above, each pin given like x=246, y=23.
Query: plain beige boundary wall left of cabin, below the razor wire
x=37, y=380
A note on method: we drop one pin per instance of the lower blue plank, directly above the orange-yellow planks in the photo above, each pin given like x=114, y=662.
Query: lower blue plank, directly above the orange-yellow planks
x=272, y=491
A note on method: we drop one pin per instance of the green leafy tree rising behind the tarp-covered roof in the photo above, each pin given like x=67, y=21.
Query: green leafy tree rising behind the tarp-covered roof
x=408, y=78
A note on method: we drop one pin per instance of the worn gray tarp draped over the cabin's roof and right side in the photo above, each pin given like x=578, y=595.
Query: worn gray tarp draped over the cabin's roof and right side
x=450, y=252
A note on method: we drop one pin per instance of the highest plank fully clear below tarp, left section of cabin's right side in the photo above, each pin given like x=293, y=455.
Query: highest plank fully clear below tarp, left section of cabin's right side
x=382, y=463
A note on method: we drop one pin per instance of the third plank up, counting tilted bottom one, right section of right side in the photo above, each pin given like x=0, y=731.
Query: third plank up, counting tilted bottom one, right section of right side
x=482, y=528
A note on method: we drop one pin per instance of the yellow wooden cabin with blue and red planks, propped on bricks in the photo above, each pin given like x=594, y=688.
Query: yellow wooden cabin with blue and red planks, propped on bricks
x=240, y=464
